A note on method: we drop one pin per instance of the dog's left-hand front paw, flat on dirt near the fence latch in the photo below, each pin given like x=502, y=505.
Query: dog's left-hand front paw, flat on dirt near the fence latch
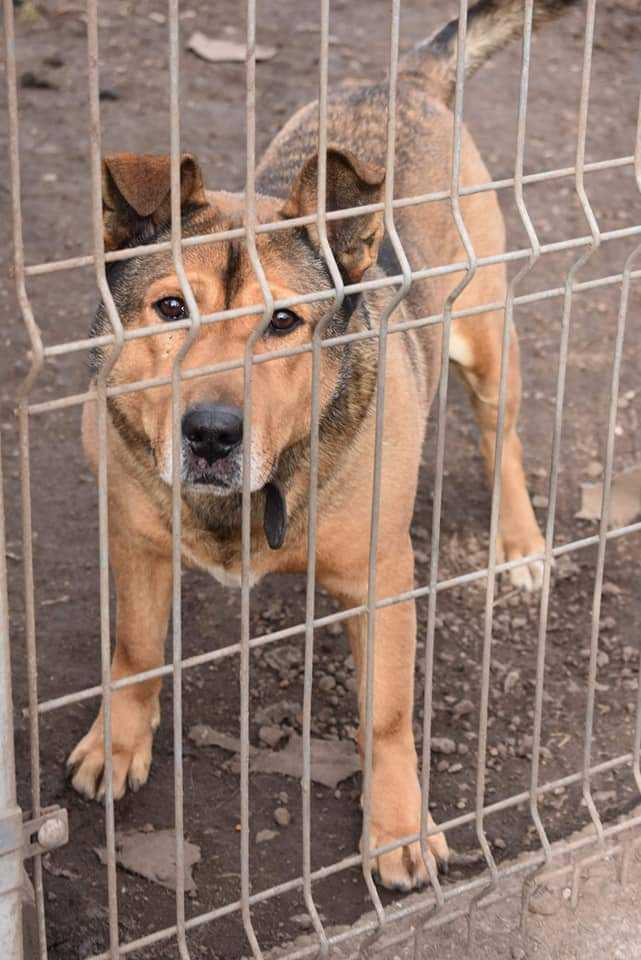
x=133, y=725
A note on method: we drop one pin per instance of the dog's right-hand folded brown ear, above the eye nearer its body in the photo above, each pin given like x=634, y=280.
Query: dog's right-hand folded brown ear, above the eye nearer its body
x=350, y=183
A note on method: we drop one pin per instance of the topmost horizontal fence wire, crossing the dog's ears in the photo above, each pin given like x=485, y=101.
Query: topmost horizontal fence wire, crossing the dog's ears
x=54, y=266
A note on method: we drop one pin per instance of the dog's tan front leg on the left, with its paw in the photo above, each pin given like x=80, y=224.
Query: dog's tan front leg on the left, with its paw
x=143, y=588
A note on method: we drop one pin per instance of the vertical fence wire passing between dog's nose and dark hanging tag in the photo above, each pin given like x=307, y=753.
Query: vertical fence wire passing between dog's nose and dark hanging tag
x=245, y=632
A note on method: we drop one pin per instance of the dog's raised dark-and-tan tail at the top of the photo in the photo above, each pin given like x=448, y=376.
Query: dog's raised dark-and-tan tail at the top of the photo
x=491, y=24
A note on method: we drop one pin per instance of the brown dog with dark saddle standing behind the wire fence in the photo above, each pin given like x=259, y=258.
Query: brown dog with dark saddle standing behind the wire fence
x=146, y=289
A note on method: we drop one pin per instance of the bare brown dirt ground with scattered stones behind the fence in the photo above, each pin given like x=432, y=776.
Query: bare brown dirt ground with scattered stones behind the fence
x=53, y=107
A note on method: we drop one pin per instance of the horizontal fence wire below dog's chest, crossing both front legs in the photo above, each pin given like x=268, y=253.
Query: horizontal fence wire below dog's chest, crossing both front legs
x=212, y=656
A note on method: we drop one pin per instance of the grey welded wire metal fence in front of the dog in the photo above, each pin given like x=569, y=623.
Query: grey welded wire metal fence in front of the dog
x=431, y=908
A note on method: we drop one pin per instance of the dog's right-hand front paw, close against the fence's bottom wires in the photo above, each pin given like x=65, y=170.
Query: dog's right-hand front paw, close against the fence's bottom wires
x=396, y=805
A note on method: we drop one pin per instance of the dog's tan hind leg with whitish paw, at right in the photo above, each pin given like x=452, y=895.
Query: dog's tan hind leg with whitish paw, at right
x=475, y=348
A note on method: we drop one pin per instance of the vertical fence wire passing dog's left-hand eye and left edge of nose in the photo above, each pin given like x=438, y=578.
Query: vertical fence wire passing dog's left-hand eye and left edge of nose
x=176, y=467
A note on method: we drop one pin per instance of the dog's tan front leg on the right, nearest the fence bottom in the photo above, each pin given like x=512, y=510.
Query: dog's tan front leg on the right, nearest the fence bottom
x=395, y=791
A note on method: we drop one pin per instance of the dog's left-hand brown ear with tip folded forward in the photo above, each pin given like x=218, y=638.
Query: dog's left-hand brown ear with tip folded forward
x=136, y=193
